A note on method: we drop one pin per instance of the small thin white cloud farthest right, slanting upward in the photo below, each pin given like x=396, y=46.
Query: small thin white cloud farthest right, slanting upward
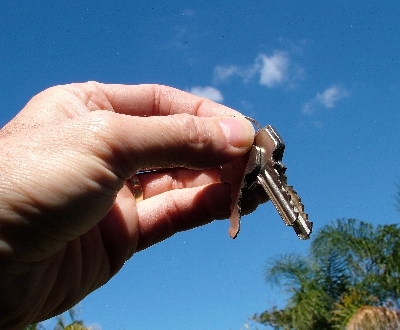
x=326, y=99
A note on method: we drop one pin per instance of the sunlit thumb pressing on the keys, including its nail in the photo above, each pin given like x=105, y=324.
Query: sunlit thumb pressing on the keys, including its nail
x=179, y=140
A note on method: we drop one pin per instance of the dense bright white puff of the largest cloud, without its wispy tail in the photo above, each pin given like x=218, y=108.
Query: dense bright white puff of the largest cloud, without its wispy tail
x=274, y=69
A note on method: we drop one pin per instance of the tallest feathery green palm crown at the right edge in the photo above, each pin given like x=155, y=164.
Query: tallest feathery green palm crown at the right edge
x=368, y=256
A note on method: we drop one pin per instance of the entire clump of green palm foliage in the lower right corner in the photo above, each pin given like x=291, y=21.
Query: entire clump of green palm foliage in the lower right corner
x=351, y=264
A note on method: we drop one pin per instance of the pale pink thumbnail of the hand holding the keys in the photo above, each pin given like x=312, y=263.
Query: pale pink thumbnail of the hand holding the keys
x=238, y=131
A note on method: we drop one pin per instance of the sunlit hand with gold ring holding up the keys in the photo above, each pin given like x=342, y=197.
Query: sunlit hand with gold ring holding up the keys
x=68, y=220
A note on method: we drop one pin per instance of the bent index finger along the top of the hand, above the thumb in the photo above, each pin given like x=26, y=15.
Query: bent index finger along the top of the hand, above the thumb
x=159, y=100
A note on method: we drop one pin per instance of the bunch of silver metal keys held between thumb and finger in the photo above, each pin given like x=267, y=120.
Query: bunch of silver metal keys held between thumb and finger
x=264, y=168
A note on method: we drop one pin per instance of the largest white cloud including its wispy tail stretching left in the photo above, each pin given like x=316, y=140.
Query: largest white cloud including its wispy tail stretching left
x=272, y=70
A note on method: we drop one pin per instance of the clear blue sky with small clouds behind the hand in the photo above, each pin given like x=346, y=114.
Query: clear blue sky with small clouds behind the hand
x=324, y=74
